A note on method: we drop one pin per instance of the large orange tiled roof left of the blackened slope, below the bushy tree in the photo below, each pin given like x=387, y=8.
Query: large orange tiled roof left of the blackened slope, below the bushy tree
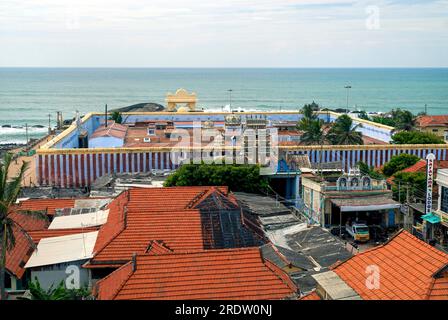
x=164, y=214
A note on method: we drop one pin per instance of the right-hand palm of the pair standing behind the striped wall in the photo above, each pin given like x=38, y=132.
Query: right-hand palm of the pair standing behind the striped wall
x=343, y=132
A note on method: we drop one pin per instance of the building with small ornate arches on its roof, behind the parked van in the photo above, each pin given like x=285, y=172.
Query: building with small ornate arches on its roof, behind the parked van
x=333, y=199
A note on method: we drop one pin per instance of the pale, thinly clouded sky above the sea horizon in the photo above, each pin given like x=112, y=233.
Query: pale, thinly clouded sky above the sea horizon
x=225, y=33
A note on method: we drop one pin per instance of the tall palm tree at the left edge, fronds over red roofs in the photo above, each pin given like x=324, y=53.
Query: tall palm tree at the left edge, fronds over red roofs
x=9, y=190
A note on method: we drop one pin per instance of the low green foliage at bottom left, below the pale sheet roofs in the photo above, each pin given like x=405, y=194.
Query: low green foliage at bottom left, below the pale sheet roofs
x=58, y=293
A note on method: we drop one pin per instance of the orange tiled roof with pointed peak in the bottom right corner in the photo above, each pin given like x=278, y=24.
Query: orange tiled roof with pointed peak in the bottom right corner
x=407, y=267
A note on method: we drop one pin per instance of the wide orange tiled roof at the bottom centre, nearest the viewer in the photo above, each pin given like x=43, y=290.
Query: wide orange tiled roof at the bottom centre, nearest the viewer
x=212, y=274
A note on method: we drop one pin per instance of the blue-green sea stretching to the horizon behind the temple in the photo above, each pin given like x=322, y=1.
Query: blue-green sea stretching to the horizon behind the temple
x=28, y=95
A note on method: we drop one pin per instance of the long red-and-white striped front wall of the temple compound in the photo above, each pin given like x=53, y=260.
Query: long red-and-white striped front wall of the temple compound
x=80, y=169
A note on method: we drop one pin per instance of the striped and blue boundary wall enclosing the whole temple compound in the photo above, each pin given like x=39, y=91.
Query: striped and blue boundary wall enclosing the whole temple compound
x=61, y=163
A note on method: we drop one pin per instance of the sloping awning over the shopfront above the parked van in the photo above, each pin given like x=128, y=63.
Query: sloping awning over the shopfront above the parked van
x=365, y=204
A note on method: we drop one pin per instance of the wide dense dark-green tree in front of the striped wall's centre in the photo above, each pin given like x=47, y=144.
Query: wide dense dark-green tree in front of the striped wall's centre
x=244, y=178
